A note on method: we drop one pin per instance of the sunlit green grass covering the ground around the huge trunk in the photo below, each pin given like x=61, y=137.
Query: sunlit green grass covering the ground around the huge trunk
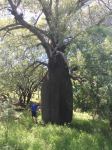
x=82, y=134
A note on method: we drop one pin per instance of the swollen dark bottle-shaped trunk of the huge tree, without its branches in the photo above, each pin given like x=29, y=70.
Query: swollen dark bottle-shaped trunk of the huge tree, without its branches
x=56, y=94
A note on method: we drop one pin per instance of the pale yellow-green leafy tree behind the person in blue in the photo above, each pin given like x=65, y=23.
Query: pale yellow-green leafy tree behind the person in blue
x=21, y=70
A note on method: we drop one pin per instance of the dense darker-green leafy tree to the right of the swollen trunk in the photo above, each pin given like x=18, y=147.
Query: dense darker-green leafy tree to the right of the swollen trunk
x=93, y=56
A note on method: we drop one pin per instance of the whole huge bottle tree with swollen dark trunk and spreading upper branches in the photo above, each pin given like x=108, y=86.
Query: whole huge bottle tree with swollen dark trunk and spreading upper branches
x=56, y=93
